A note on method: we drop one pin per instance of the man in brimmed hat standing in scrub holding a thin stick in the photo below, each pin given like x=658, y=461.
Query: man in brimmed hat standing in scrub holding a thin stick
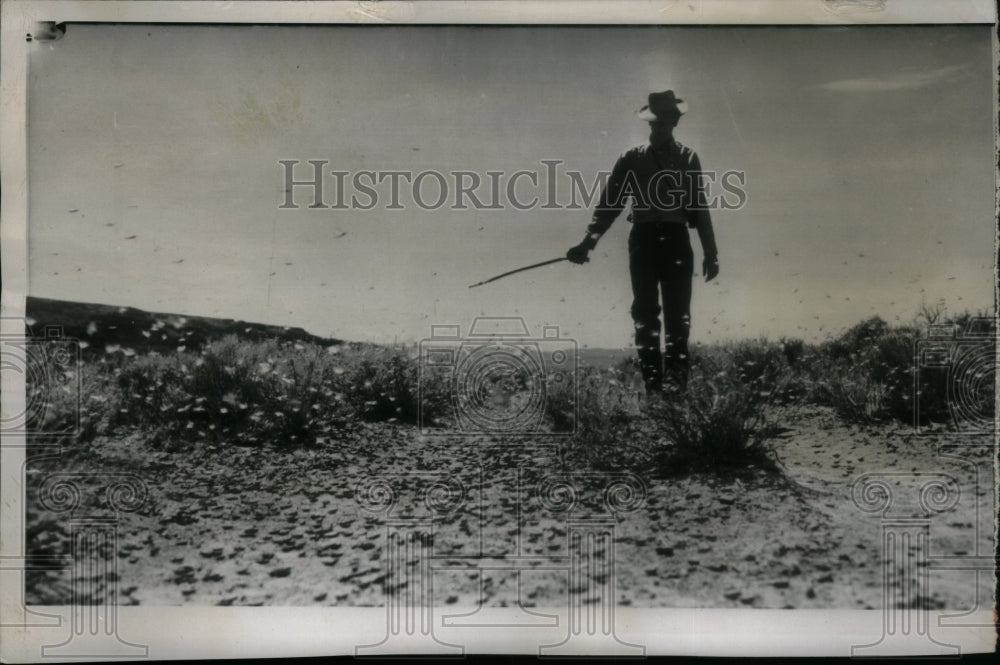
x=661, y=182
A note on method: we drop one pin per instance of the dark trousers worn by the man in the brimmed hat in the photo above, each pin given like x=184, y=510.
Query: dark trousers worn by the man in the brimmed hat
x=661, y=264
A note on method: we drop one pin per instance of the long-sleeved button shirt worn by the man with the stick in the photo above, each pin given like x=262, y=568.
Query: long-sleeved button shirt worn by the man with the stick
x=662, y=184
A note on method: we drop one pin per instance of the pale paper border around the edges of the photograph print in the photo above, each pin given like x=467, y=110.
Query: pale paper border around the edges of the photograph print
x=194, y=632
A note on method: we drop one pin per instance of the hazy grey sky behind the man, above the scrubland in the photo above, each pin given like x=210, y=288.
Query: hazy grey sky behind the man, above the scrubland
x=155, y=178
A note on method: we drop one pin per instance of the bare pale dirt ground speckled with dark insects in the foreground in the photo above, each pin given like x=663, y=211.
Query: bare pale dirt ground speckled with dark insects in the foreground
x=229, y=525
